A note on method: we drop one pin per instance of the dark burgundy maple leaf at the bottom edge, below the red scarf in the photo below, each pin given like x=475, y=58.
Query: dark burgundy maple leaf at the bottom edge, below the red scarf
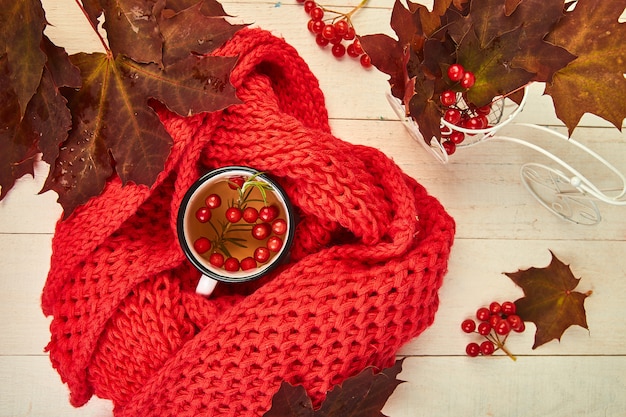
x=363, y=395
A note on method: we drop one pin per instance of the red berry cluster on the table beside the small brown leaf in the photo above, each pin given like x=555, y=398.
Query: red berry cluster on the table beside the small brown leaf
x=495, y=323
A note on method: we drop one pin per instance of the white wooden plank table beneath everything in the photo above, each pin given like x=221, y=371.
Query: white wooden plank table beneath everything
x=500, y=228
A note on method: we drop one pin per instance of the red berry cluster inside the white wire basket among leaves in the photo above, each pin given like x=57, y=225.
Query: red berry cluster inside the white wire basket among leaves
x=457, y=111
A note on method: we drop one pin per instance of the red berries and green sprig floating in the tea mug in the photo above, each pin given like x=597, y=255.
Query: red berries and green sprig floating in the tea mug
x=263, y=225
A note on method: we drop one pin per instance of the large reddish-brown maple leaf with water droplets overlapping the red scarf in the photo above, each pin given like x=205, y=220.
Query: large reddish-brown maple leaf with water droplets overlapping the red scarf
x=113, y=122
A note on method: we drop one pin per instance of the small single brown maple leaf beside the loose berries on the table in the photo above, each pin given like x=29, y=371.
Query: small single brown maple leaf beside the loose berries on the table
x=550, y=300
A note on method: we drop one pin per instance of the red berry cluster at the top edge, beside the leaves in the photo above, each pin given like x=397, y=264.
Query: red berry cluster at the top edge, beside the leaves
x=337, y=31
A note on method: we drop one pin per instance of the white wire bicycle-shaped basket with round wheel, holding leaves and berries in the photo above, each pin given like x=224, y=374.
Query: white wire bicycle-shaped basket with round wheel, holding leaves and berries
x=559, y=187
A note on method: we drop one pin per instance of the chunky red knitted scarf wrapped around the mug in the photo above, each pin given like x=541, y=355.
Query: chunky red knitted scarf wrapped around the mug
x=370, y=251
